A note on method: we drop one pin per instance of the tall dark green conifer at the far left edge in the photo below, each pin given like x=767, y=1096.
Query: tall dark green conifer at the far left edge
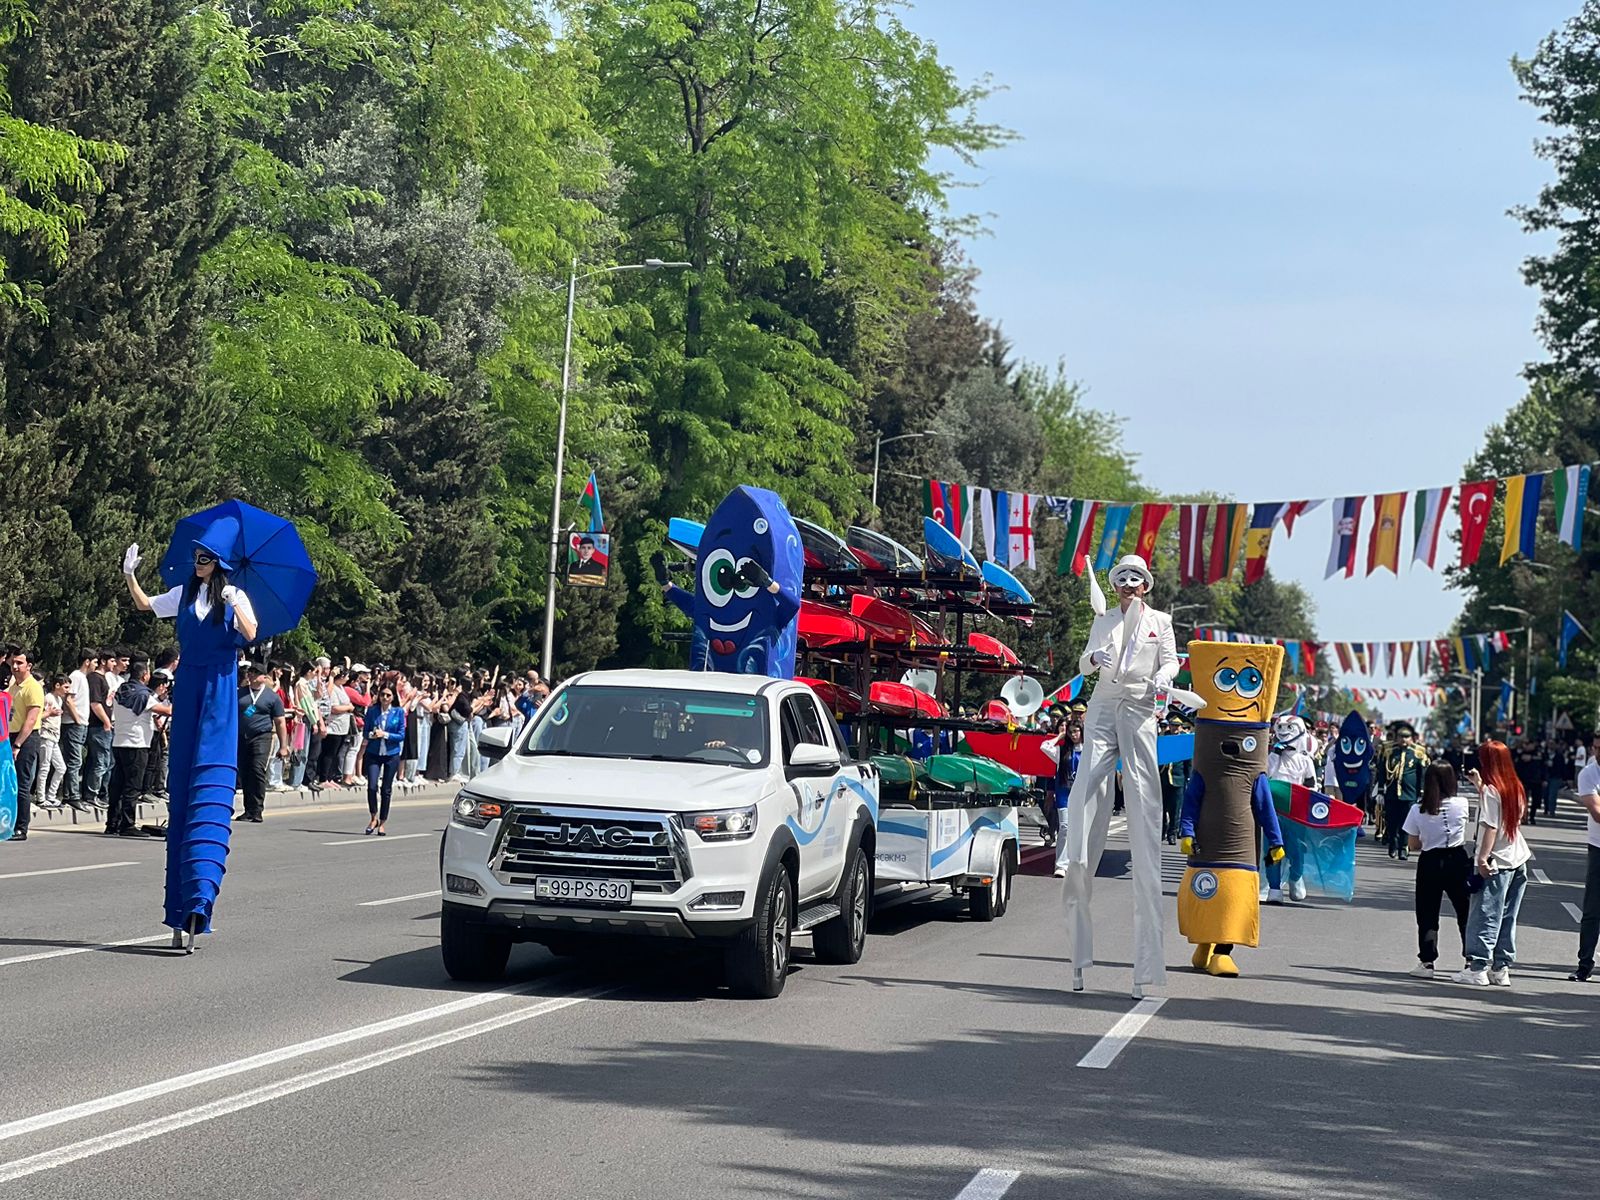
x=106, y=420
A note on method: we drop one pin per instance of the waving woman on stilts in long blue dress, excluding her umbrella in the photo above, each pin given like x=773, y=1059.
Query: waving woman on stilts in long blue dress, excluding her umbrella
x=215, y=620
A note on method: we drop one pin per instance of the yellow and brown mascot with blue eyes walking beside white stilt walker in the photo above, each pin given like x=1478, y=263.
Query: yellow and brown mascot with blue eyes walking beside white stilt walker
x=1228, y=804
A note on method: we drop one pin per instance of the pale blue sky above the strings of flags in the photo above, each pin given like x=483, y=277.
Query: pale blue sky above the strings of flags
x=1274, y=238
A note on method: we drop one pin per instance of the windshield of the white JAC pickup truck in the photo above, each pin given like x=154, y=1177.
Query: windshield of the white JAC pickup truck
x=673, y=726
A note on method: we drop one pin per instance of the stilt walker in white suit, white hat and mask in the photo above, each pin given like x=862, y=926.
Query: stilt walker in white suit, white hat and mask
x=1134, y=650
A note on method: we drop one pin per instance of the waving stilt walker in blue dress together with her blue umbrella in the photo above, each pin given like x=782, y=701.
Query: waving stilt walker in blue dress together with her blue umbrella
x=223, y=553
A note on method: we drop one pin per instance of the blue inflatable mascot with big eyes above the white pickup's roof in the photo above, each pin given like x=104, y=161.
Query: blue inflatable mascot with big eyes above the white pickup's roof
x=748, y=580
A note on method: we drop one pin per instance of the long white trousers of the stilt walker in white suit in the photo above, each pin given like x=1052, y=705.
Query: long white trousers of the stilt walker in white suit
x=1127, y=730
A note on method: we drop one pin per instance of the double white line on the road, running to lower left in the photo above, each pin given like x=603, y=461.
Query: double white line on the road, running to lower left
x=271, y=1092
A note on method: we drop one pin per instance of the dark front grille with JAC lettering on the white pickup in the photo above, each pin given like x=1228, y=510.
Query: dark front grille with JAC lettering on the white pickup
x=591, y=844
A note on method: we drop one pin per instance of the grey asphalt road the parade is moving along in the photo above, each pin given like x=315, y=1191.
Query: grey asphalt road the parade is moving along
x=314, y=1047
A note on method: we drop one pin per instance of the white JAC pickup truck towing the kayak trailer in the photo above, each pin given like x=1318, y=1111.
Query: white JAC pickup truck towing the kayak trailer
x=666, y=804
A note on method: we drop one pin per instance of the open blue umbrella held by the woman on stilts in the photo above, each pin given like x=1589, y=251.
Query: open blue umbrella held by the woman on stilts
x=268, y=562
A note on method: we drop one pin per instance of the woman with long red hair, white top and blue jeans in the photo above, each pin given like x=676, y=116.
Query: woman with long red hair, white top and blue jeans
x=1503, y=863
